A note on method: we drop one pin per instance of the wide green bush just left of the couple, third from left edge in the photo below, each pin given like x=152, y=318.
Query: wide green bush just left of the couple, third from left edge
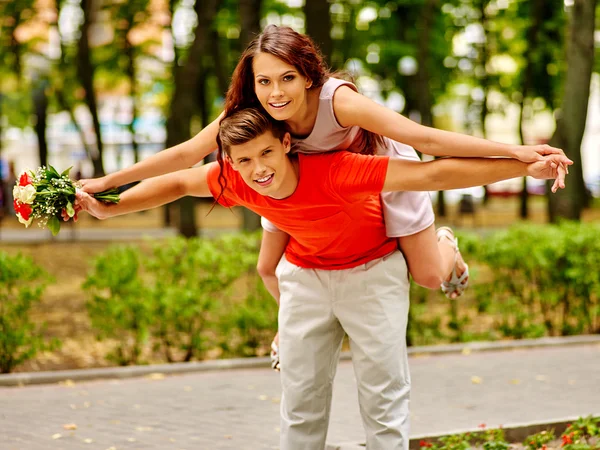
x=190, y=279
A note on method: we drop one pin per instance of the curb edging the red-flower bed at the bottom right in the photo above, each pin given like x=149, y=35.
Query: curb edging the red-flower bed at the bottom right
x=513, y=433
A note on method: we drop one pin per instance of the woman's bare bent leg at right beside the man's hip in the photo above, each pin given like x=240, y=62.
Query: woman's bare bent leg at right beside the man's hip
x=431, y=260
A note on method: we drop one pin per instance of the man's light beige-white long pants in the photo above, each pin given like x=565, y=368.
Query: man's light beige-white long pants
x=369, y=303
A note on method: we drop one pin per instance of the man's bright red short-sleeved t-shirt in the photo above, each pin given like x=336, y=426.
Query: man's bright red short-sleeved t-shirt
x=334, y=217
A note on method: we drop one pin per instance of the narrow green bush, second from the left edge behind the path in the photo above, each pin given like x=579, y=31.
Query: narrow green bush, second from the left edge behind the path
x=119, y=307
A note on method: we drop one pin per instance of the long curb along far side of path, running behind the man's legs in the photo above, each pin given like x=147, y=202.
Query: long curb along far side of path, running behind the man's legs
x=28, y=378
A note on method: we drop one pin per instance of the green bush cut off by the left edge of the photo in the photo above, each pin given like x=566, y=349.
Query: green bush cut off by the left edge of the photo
x=21, y=286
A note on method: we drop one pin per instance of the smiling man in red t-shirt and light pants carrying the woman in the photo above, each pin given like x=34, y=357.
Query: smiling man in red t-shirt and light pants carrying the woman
x=330, y=283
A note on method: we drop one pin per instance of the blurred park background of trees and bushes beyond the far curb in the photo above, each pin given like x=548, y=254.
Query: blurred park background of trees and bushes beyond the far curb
x=100, y=84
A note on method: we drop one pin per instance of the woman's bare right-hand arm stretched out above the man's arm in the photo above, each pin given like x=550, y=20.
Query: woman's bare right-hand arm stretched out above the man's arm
x=354, y=109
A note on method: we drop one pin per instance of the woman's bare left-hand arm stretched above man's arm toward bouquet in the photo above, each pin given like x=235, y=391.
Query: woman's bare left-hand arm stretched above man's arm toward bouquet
x=179, y=157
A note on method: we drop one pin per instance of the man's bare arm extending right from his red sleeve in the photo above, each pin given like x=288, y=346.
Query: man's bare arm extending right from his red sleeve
x=456, y=173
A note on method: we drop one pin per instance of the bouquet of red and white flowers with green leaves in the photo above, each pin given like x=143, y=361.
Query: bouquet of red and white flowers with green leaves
x=44, y=194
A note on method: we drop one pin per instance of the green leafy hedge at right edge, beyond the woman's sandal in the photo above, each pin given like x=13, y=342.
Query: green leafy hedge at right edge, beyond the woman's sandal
x=545, y=279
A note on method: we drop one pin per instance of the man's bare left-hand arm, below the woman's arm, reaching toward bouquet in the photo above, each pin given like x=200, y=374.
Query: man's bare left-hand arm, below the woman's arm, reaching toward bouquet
x=151, y=193
